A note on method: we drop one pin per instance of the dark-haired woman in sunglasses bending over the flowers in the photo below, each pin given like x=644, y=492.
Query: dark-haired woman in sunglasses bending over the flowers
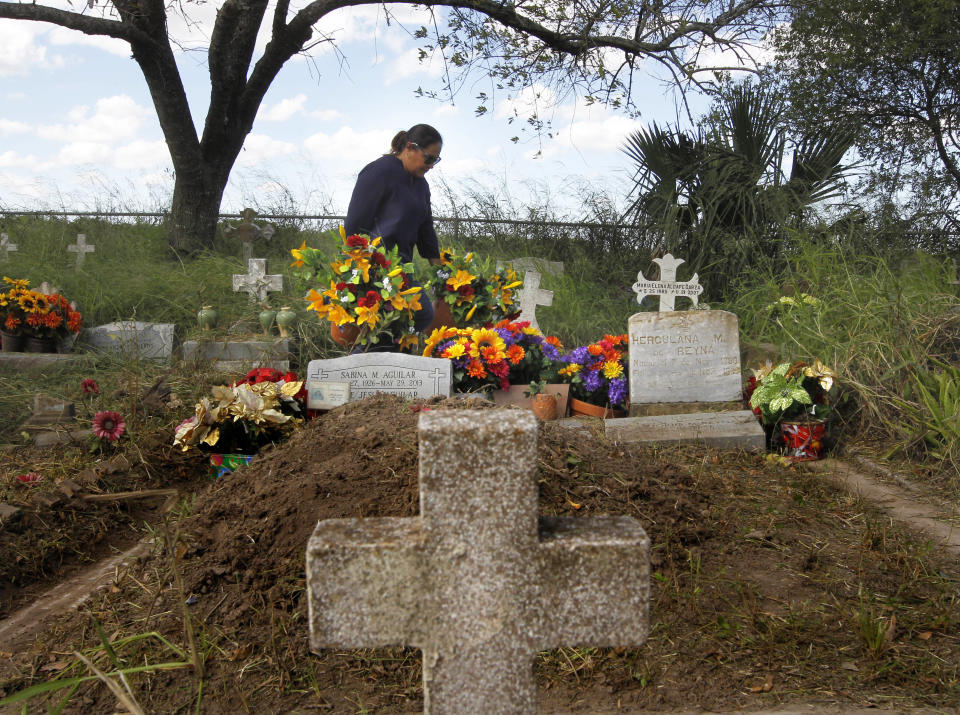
x=392, y=200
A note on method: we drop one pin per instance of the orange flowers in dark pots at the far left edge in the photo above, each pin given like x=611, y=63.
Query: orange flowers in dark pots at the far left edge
x=34, y=314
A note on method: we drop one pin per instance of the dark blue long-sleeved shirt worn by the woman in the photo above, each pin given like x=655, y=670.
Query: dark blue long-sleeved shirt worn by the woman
x=390, y=202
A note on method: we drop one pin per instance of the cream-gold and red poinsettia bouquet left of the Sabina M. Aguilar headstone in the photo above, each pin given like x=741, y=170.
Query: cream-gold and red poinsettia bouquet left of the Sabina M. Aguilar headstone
x=264, y=407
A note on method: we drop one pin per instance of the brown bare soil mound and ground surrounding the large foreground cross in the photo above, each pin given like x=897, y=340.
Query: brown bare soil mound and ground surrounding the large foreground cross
x=770, y=586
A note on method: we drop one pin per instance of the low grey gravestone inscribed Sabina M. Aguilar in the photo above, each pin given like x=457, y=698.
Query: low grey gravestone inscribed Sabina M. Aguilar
x=347, y=379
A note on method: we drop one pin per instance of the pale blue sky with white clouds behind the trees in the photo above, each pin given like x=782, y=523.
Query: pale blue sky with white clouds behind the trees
x=78, y=130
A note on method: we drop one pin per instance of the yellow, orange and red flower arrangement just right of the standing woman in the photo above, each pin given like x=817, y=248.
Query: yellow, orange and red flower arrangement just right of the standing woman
x=476, y=292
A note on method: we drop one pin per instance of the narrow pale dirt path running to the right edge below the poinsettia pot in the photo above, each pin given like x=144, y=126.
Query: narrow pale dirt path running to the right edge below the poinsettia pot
x=900, y=503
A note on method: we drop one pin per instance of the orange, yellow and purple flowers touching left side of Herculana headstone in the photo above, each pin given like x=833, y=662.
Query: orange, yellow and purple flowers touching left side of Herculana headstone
x=597, y=372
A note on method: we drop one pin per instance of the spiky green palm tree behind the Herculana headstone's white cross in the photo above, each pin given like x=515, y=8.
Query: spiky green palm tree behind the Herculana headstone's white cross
x=720, y=195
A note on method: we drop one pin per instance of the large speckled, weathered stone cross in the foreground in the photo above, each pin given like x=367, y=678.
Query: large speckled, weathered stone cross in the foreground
x=477, y=581
